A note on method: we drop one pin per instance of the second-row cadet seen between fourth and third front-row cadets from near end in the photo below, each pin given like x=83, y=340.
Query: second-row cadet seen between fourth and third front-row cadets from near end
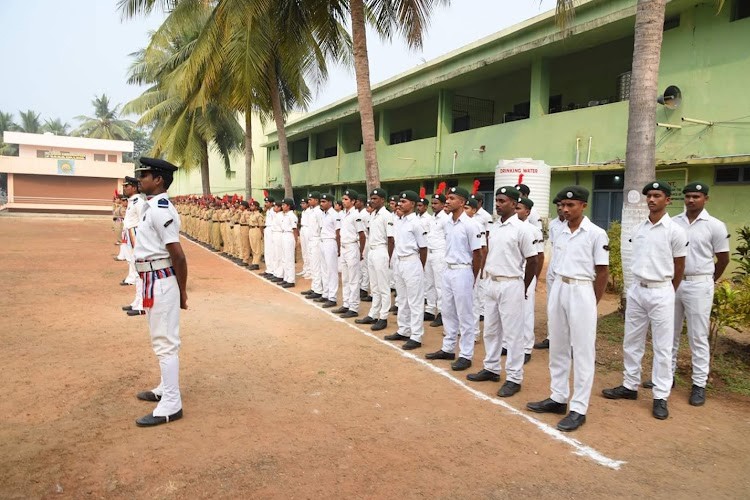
x=436, y=263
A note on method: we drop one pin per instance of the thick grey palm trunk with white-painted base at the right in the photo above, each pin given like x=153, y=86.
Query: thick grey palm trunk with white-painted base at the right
x=640, y=153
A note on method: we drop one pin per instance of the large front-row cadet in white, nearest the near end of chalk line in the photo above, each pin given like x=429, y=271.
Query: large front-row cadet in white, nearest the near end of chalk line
x=581, y=265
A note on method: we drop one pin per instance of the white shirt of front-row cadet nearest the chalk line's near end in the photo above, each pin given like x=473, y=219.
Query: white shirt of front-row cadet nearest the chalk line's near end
x=576, y=255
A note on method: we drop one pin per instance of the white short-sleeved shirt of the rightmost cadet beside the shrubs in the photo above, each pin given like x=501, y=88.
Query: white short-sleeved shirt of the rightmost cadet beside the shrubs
x=707, y=236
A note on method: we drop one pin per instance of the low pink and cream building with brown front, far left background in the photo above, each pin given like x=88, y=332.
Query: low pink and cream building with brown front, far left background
x=64, y=174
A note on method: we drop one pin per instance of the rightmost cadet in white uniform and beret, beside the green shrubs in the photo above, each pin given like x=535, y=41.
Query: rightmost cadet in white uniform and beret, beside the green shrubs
x=707, y=237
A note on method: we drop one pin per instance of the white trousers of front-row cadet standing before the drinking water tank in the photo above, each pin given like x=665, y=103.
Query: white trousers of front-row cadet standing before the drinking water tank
x=503, y=321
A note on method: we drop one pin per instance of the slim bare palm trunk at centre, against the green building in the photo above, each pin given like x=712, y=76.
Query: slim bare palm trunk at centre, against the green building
x=364, y=93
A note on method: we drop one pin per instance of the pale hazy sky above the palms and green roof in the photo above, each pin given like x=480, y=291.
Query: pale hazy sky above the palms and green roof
x=58, y=55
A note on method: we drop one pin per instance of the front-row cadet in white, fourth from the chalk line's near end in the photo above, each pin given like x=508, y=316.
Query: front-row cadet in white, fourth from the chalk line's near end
x=410, y=251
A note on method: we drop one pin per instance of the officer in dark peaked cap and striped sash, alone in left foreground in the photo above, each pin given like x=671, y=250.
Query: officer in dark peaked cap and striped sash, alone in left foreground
x=162, y=265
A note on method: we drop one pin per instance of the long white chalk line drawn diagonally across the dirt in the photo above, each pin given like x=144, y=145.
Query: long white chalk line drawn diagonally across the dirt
x=580, y=449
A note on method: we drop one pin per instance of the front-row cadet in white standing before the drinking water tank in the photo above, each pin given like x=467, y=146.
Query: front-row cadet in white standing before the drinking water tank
x=510, y=244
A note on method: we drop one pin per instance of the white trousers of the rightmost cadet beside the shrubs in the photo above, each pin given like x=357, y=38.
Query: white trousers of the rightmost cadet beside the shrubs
x=693, y=301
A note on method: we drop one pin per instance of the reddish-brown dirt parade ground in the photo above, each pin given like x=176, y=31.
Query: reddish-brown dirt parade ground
x=282, y=400
